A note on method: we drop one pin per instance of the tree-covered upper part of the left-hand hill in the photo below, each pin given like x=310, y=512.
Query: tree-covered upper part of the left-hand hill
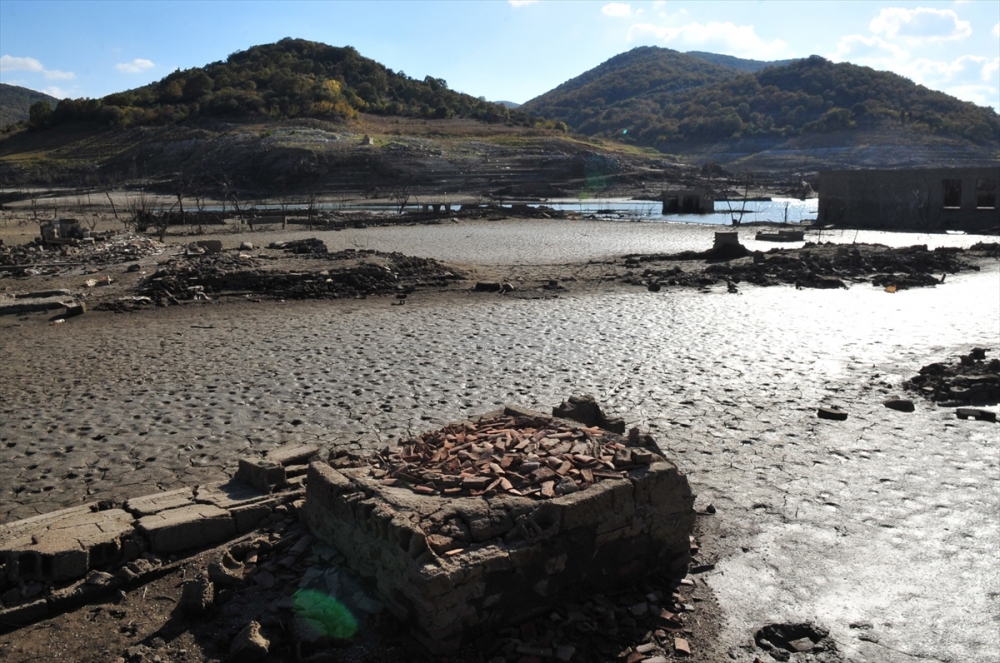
x=288, y=79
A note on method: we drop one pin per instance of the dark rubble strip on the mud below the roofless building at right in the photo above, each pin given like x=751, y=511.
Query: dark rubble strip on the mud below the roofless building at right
x=813, y=266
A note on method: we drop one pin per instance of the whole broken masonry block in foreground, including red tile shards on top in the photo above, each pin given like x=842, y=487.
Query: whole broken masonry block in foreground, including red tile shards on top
x=493, y=520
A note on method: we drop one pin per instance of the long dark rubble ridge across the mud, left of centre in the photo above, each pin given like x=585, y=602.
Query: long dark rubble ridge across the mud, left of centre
x=364, y=273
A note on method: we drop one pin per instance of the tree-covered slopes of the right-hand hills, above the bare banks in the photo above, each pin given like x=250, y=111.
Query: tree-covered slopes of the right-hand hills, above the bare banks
x=809, y=96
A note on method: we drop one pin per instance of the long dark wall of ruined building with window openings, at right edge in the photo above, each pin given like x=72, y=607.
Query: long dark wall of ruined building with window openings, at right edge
x=909, y=199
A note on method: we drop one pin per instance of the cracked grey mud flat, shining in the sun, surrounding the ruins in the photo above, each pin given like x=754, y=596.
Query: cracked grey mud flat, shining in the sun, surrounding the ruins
x=882, y=528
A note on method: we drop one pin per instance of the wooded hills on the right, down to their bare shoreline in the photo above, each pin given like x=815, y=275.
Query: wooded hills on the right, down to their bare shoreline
x=810, y=104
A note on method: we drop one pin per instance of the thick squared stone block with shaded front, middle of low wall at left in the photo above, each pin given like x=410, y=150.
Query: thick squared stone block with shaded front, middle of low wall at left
x=187, y=527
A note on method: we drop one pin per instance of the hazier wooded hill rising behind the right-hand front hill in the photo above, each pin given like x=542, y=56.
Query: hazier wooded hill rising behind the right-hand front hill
x=582, y=100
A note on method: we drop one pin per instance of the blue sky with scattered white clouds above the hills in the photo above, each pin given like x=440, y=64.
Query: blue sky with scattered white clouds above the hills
x=499, y=49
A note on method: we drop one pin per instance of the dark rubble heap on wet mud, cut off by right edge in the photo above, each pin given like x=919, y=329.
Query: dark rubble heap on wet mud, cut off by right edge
x=972, y=379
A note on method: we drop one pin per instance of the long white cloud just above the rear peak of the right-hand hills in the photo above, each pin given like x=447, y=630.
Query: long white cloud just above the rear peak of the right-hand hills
x=739, y=40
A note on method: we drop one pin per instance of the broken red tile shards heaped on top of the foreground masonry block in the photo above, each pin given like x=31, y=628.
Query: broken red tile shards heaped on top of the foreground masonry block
x=522, y=456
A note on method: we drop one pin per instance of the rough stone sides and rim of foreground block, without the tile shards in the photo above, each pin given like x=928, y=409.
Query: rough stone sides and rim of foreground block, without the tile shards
x=452, y=566
